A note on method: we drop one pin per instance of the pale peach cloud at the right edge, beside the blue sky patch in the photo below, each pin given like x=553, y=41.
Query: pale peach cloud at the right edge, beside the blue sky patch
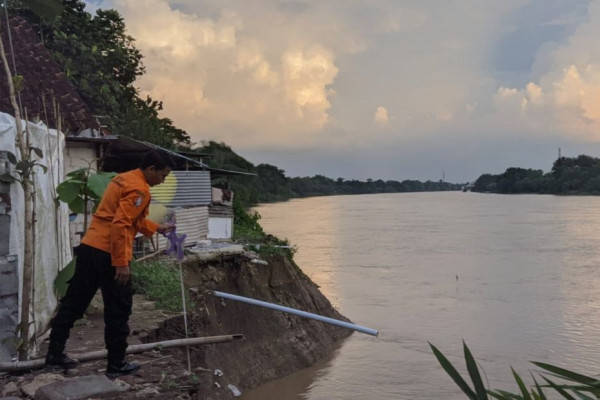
x=566, y=97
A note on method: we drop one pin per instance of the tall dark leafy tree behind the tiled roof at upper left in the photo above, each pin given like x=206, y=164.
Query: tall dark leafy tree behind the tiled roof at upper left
x=101, y=60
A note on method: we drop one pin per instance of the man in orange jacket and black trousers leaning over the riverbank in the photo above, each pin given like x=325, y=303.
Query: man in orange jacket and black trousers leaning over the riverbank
x=103, y=262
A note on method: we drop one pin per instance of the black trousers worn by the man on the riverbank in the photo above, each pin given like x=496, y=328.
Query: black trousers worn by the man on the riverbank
x=94, y=270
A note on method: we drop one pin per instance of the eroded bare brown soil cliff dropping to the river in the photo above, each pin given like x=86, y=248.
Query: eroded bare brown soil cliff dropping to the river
x=276, y=343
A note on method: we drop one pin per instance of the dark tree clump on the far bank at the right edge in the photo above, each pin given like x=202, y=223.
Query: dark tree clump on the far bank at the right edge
x=577, y=175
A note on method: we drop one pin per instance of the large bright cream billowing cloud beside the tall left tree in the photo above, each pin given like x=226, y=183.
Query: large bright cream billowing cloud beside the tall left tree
x=220, y=78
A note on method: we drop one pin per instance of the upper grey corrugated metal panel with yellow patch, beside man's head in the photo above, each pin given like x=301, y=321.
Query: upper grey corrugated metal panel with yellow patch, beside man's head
x=184, y=189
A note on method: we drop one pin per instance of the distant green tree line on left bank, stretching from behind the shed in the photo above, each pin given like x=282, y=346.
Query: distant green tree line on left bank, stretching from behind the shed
x=271, y=184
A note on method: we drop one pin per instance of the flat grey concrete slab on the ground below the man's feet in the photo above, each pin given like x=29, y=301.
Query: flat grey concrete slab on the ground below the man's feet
x=78, y=388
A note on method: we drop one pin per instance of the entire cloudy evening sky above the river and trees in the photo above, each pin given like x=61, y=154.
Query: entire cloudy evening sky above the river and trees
x=413, y=89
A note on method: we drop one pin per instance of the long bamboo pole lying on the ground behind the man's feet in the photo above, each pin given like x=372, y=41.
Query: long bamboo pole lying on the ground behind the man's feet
x=137, y=348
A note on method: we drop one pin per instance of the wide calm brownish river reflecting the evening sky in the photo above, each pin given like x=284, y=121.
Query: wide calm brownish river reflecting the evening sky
x=516, y=276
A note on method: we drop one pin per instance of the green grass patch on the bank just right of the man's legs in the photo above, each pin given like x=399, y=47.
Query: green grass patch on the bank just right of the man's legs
x=159, y=281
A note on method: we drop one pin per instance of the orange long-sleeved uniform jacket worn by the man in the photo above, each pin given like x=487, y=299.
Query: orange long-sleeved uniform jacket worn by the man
x=120, y=215
